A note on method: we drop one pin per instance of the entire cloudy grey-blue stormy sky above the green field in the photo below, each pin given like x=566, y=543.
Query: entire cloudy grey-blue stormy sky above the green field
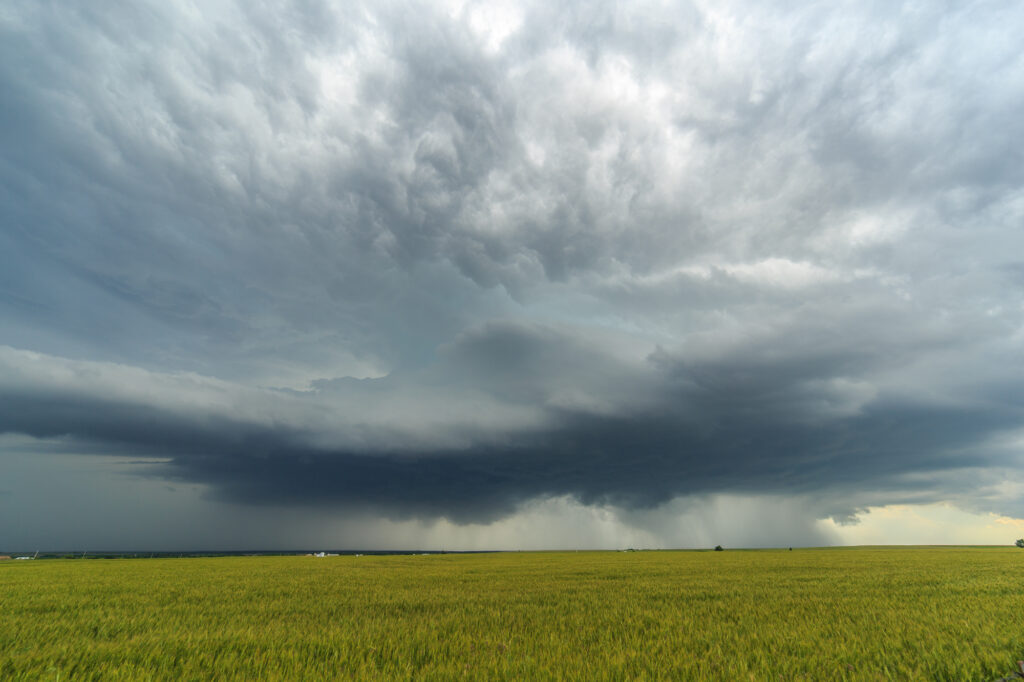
x=510, y=276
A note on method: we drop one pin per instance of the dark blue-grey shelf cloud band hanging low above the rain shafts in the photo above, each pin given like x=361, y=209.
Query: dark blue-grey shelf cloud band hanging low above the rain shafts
x=601, y=432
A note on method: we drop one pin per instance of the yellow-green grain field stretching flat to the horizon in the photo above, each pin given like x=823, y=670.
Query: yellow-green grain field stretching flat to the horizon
x=922, y=614
